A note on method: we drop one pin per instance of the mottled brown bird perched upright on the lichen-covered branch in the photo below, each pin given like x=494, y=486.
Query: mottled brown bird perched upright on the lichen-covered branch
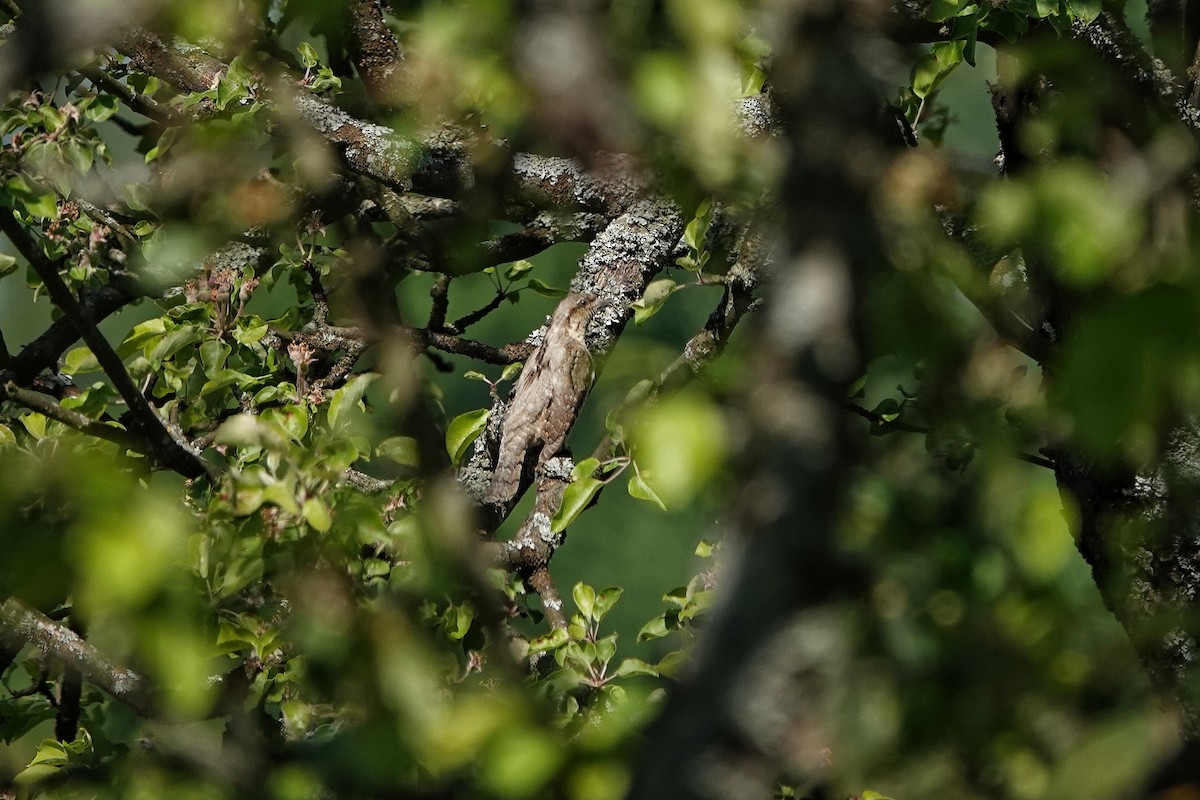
x=547, y=399
